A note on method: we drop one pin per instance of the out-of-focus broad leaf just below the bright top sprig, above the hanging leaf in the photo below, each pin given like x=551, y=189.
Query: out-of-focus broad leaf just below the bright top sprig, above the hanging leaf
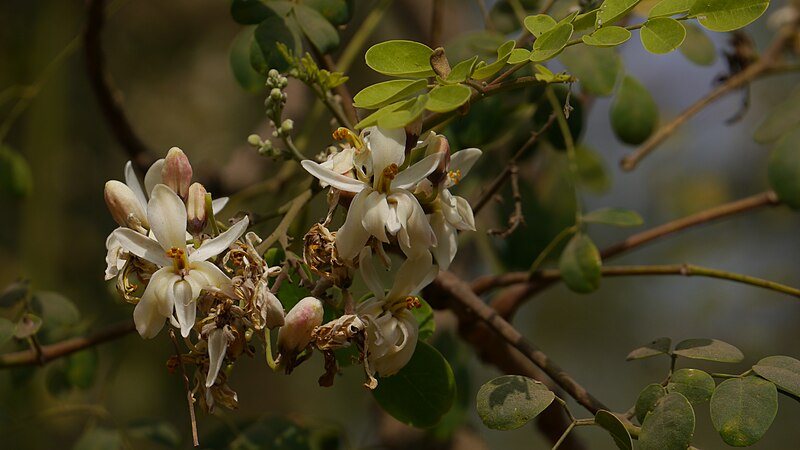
x=597, y=69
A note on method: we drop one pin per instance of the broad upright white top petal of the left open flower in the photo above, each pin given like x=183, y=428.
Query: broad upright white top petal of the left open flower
x=167, y=216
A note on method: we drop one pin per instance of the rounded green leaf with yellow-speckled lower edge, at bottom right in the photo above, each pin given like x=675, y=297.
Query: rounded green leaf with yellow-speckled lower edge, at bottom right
x=742, y=409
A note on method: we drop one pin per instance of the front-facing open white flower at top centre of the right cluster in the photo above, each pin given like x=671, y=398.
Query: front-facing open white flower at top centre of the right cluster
x=383, y=204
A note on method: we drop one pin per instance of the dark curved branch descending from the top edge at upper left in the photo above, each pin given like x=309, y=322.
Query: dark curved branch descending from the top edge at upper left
x=110, y=105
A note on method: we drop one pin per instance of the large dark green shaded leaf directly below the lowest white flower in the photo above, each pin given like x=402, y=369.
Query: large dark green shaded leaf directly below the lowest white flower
x=421, y=392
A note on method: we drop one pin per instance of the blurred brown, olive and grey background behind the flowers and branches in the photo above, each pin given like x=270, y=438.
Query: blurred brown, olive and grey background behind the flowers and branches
x=169, y=64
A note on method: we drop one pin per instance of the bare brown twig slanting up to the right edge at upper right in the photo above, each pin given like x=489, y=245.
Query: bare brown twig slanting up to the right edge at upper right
x=764, y=66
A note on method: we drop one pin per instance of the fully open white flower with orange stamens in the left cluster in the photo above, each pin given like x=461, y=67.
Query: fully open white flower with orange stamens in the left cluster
x=183, y=273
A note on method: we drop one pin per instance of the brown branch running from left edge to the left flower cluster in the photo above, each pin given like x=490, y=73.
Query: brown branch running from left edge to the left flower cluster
x=65, y=348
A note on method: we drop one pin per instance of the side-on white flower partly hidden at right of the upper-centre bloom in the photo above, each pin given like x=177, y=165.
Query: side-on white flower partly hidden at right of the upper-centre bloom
x=452, y=213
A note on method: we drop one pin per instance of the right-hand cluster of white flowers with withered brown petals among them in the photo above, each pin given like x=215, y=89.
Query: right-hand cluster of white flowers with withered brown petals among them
x=398, y=192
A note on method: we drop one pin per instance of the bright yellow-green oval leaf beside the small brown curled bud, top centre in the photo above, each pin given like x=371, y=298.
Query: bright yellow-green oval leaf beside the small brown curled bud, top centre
x=400, y=59
